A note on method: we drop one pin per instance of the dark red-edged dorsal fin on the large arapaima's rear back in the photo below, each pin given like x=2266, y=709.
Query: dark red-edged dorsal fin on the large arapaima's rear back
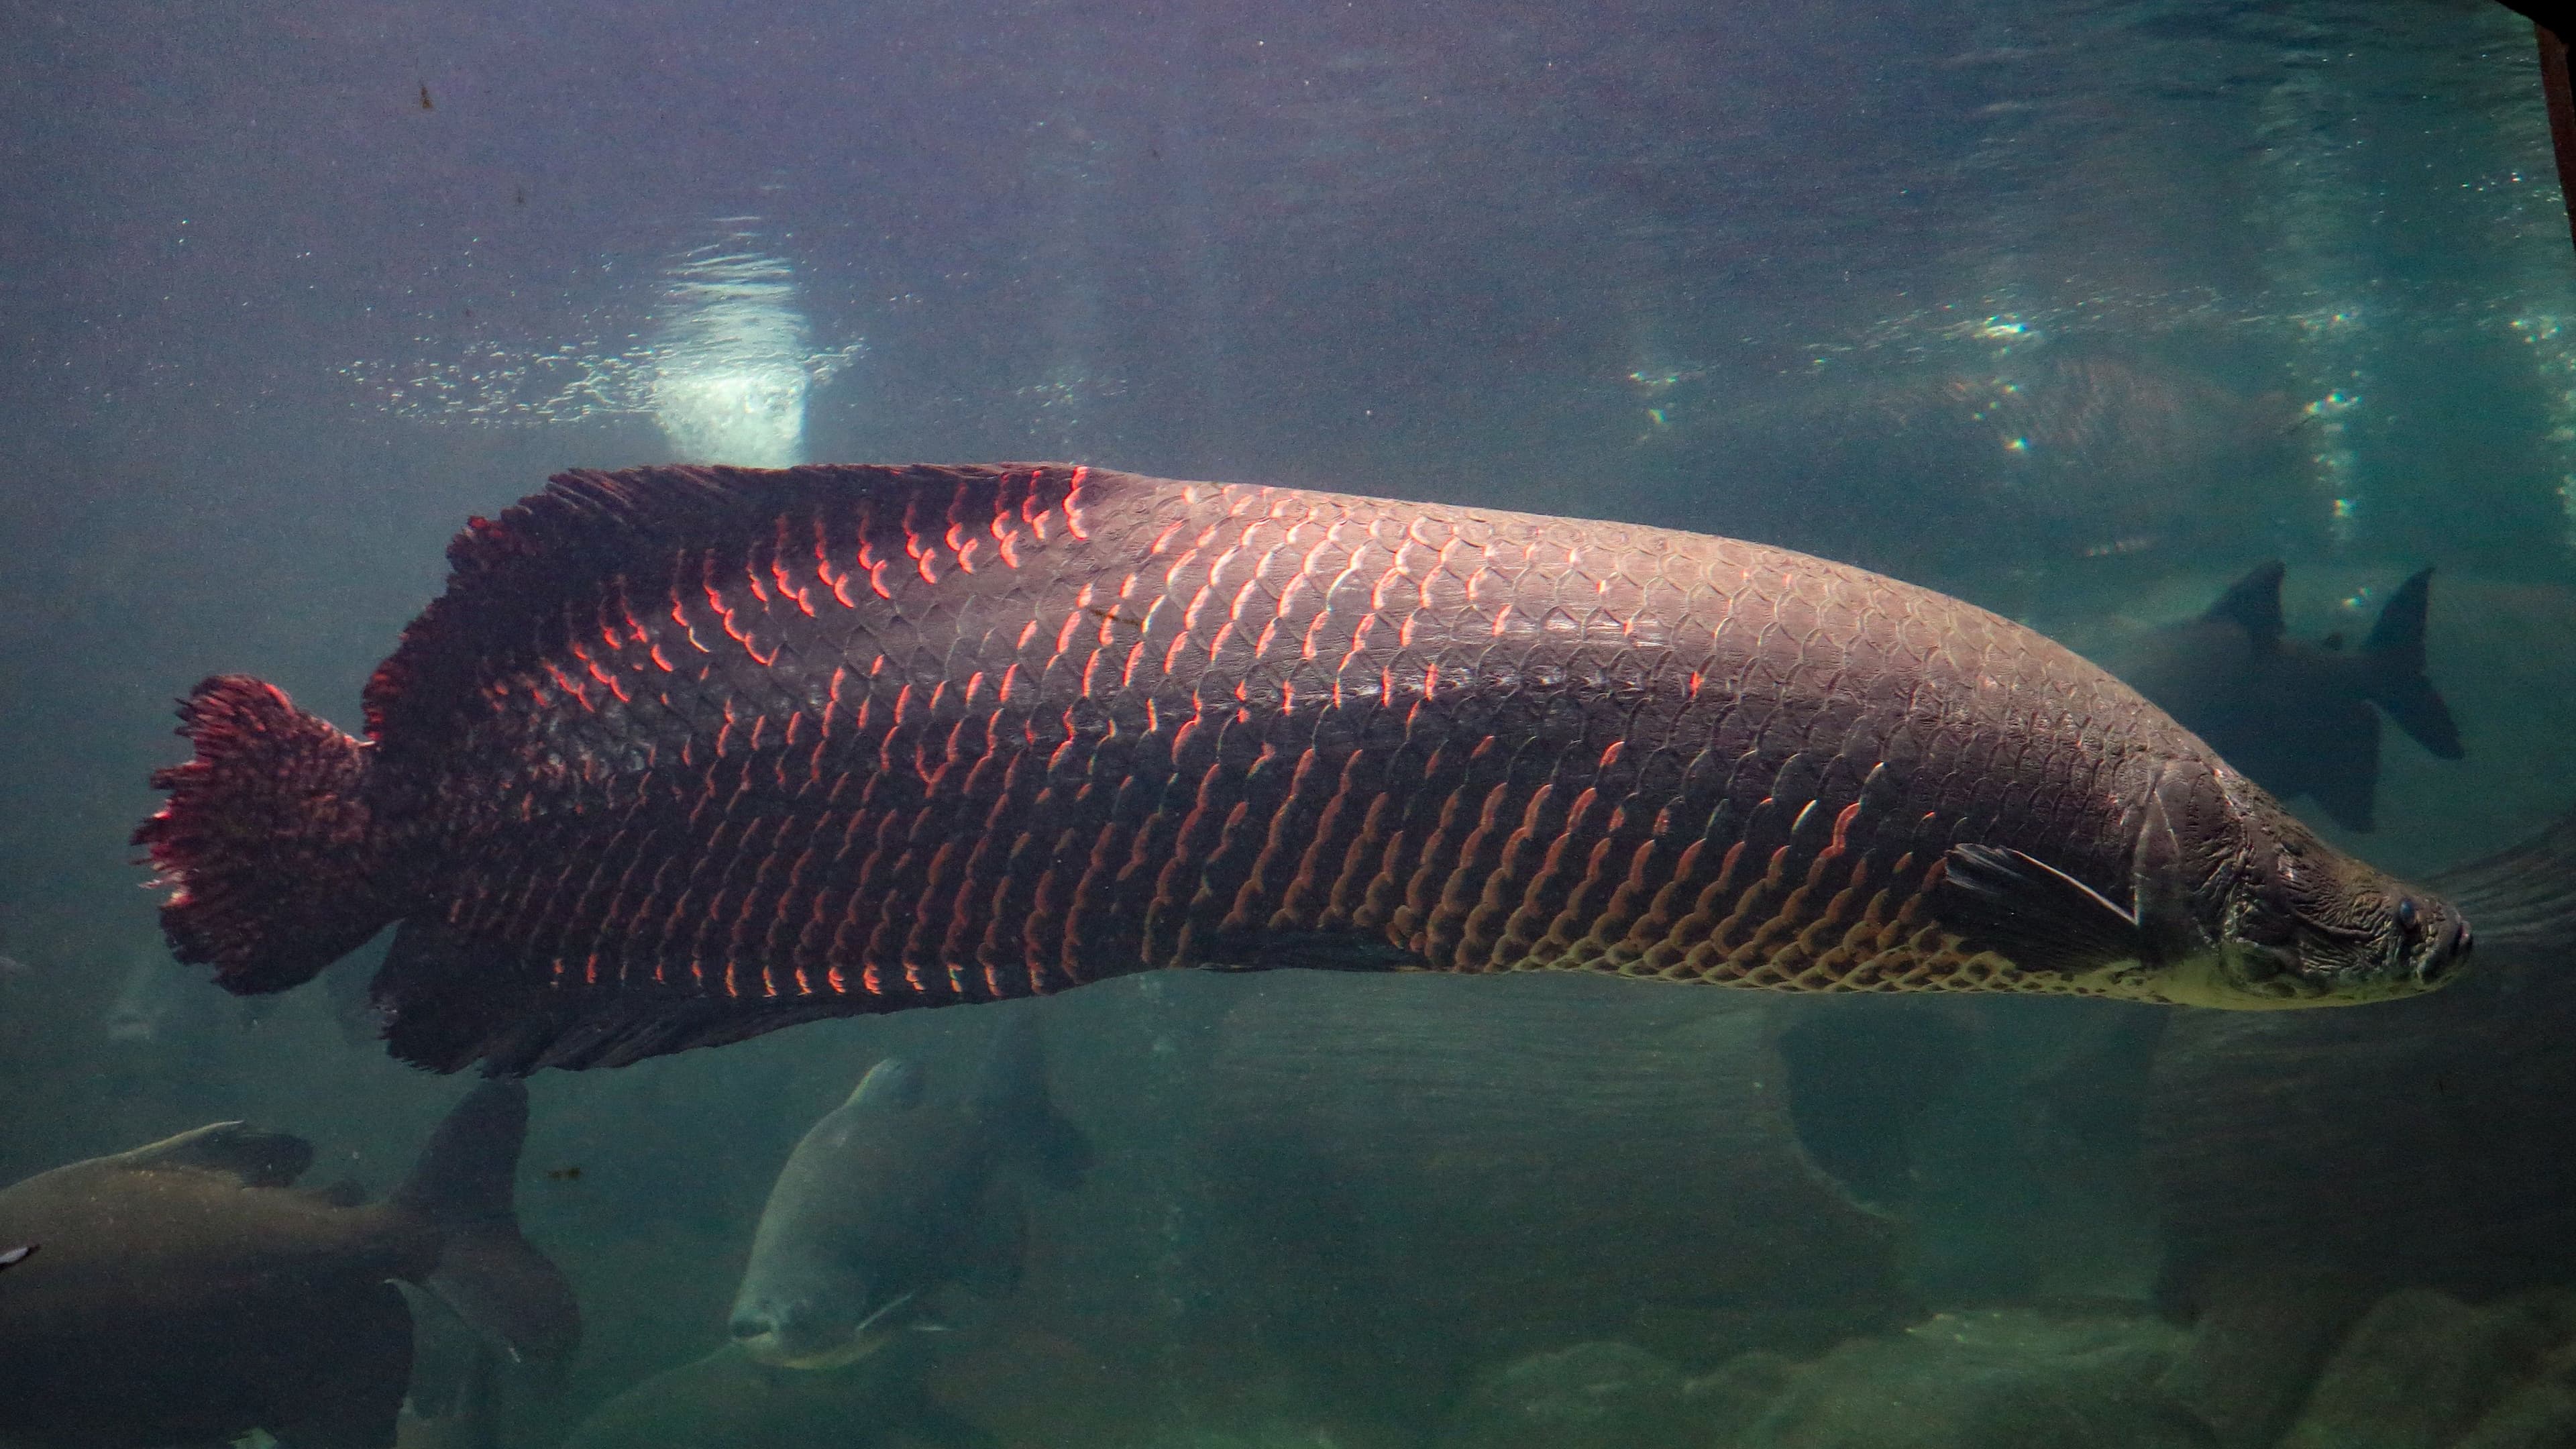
x=514, y=579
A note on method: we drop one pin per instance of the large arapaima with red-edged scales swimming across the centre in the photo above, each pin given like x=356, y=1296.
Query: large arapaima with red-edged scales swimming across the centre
x=692, y=754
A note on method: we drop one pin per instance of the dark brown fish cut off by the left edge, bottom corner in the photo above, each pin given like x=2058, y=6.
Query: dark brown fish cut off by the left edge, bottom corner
x=189, y=1293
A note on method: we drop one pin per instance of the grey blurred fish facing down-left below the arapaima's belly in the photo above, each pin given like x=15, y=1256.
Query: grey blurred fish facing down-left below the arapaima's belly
x=893, y=1198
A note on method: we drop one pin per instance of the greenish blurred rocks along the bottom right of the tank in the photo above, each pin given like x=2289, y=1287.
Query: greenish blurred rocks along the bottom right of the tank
x=2289, y=1363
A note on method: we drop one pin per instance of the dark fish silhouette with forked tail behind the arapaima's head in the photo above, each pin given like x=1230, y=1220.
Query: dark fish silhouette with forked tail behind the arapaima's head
x=2299, y=718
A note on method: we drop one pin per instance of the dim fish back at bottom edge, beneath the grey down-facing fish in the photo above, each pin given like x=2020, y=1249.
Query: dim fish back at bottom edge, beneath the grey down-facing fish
x=733, y=1401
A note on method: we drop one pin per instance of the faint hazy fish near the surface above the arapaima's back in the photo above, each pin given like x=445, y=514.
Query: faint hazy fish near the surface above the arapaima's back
x=1972, y=471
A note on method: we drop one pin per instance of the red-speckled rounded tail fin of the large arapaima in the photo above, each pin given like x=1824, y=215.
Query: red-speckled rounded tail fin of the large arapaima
x=267, y=839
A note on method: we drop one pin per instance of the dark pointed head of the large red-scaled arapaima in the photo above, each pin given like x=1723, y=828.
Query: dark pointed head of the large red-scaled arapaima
x=2307, y=924
